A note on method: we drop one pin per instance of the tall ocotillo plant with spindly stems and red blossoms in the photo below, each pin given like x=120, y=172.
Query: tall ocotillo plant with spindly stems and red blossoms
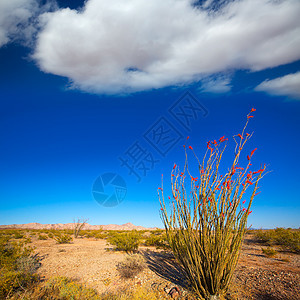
x=207, y=220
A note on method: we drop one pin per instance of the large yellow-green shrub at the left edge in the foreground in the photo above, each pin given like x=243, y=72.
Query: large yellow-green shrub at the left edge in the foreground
x=17, y=267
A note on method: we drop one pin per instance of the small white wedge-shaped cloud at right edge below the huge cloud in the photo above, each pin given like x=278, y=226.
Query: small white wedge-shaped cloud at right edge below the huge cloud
x=288, y=85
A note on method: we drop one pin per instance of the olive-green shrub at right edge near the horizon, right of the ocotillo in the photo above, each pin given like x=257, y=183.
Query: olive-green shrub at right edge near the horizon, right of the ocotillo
x=287, y=239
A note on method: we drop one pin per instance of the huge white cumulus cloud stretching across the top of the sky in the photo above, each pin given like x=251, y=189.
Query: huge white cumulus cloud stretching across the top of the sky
x=127, y=46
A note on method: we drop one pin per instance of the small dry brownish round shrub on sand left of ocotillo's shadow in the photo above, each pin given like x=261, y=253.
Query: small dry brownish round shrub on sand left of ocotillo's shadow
x=131, y=266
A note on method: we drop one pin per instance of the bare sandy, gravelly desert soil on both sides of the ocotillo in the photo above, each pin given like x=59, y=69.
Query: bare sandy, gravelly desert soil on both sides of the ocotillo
x=93, y=263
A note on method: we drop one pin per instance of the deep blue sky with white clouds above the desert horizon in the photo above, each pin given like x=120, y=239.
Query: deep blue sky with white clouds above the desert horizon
x=82, y=86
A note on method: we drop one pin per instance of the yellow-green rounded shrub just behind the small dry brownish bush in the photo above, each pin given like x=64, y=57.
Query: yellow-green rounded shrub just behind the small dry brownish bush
x=125, y=241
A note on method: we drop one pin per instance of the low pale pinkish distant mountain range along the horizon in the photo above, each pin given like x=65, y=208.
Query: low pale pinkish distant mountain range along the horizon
x=127, y=226
